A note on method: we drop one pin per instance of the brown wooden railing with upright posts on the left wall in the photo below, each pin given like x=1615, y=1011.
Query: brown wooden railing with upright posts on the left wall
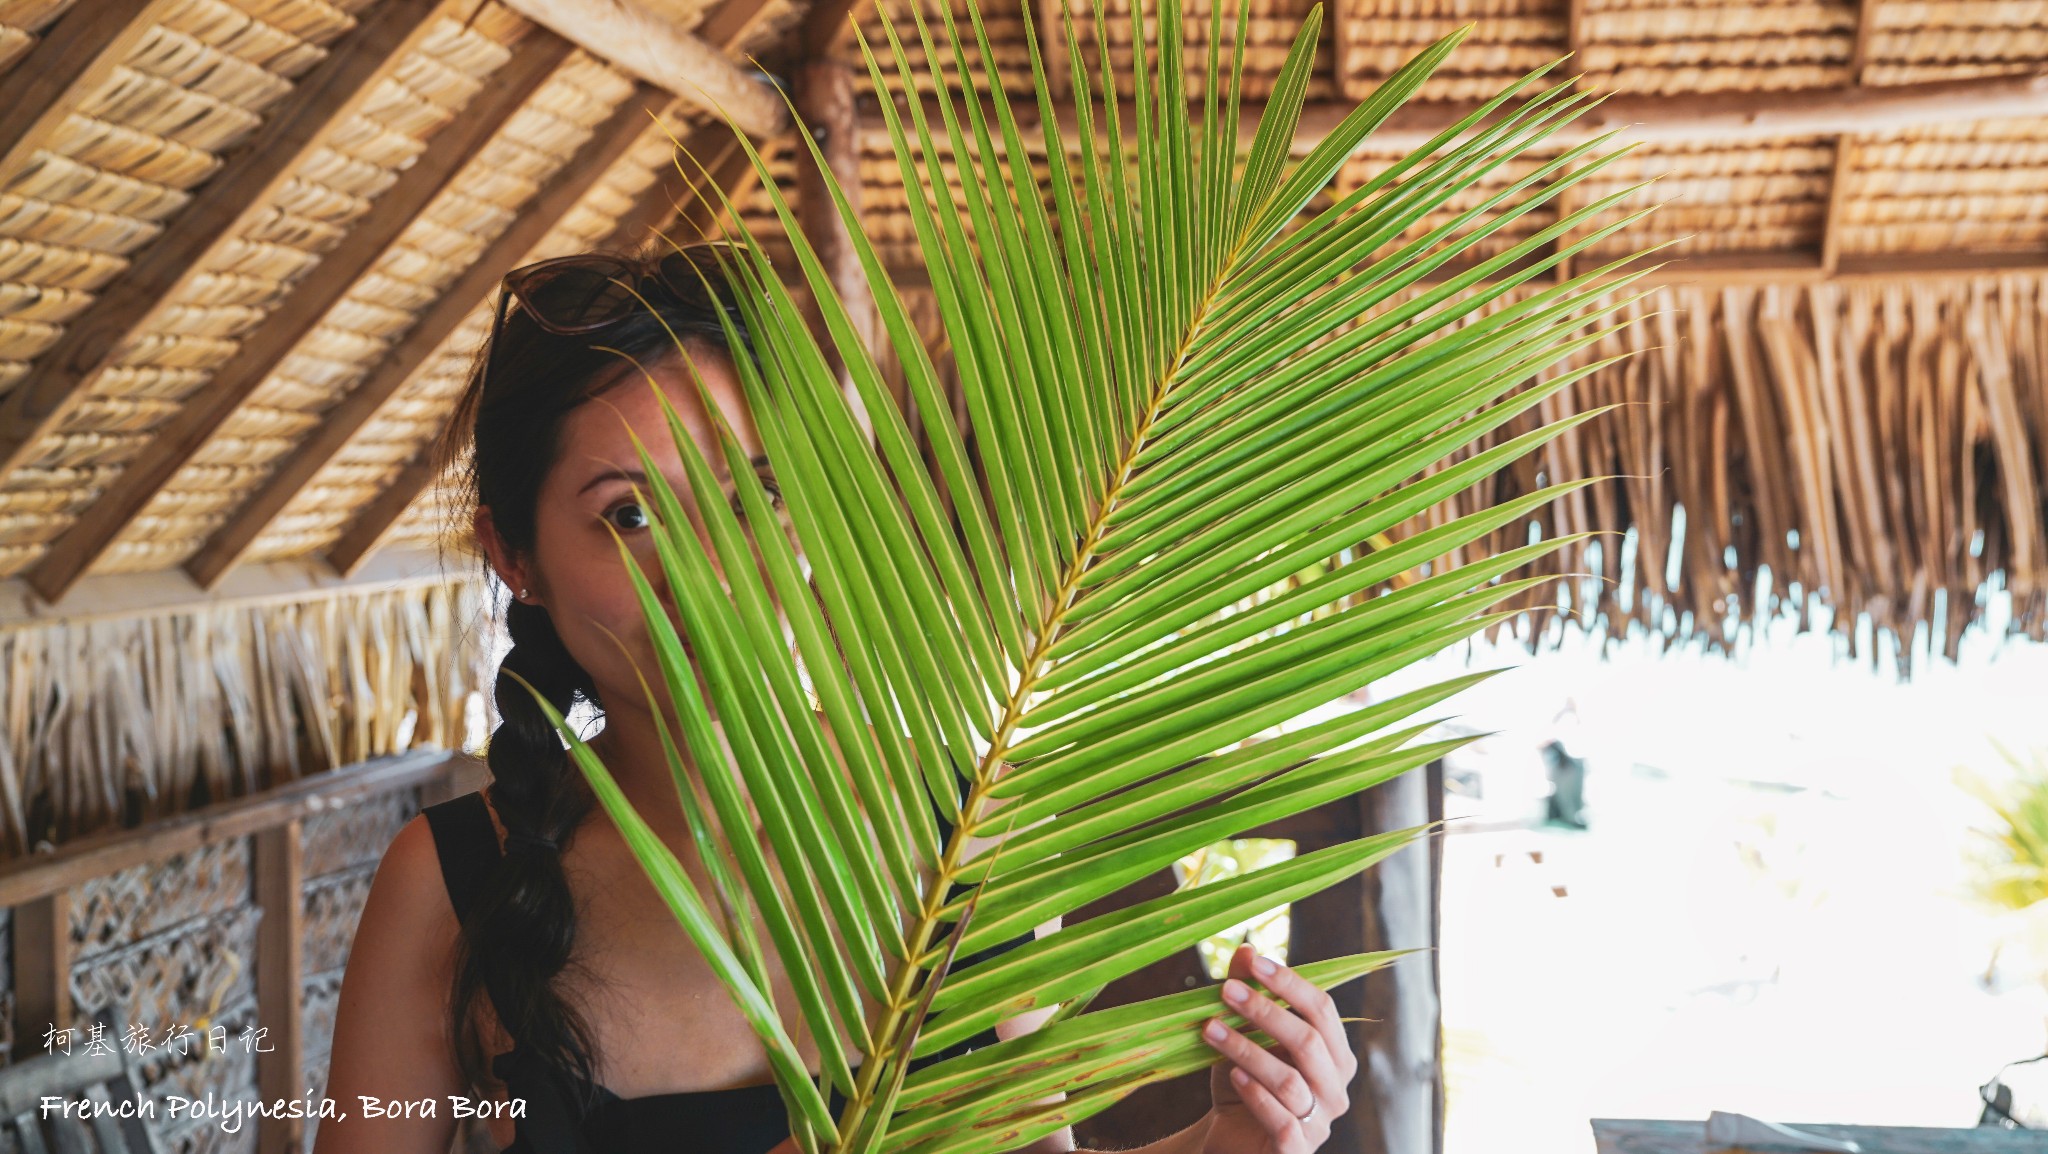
x=40, y=889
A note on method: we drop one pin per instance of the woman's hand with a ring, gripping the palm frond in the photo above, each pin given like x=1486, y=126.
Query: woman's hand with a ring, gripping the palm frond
x=1285, y=1100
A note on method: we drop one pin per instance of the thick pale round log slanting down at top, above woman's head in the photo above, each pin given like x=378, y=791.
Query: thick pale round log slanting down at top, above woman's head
x=648, y=46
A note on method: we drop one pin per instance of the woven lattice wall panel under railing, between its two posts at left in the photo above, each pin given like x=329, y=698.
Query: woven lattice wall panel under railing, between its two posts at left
x=122, y=909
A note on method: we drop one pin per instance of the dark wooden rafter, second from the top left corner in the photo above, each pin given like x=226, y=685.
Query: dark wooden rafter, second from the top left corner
x=331, y=93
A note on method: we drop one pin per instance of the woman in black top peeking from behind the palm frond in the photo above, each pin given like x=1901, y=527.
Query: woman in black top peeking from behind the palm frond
x=511, y=946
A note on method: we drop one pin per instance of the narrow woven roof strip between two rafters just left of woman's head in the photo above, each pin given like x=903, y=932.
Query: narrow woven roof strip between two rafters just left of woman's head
x=415, y=417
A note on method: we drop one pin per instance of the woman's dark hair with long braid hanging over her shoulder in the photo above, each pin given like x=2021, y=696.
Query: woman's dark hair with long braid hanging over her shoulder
x=499, y=446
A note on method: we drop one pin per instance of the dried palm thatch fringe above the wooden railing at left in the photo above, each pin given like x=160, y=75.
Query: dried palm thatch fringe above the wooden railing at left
x=110, y=723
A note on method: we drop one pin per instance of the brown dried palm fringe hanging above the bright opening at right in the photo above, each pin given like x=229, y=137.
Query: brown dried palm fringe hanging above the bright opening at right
x=1873, y=450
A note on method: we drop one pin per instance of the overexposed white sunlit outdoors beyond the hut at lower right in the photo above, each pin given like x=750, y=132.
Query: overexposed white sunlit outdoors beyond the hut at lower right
x=1770, y=907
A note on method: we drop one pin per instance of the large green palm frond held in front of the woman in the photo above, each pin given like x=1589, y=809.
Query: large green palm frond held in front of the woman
x=1197, y=421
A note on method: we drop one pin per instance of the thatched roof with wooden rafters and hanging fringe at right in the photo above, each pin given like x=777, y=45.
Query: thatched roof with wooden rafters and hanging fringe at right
x=247, y=249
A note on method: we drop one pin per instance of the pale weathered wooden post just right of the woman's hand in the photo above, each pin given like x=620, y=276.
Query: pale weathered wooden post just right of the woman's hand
x=1402, y=1055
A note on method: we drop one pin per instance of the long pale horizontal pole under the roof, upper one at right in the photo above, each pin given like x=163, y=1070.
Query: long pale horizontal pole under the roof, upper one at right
x=1691, y=118
